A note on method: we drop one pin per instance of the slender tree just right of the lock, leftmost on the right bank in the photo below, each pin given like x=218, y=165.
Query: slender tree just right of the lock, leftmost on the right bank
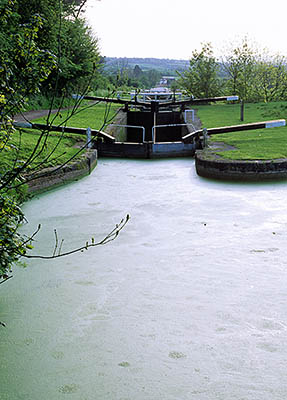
x=201, y=79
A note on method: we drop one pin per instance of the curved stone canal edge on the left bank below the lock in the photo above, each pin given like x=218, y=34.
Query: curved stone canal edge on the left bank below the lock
x=50, y=178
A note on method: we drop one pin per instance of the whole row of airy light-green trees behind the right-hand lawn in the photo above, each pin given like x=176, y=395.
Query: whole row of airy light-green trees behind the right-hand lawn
x=244, y=70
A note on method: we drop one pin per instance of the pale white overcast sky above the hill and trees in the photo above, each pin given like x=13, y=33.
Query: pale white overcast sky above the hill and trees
x=174, y=28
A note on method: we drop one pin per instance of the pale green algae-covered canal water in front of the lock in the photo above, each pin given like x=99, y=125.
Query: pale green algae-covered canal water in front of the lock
x=189, y=302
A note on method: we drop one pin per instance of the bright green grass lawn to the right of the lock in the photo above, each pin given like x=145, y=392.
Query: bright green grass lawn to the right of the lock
x=258, y=144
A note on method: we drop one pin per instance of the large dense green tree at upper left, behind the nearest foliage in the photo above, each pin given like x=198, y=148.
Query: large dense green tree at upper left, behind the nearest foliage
x=62, y=33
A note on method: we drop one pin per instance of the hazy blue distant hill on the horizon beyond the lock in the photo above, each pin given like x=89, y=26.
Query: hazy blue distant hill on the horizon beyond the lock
x=163, y=65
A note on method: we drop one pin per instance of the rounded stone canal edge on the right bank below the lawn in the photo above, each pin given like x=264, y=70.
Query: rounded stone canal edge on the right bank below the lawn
x=209, y=164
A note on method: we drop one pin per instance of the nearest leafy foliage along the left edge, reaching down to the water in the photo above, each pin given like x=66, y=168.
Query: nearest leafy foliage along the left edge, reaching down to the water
x=23, y=67
